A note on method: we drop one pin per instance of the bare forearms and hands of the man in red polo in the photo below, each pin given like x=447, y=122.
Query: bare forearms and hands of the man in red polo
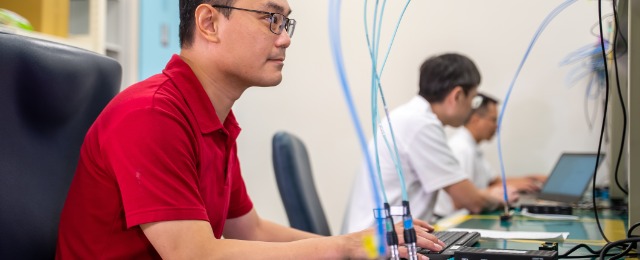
x=194, y=239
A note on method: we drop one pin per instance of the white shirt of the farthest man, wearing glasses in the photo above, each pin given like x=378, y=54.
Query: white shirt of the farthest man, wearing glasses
x=473, y=164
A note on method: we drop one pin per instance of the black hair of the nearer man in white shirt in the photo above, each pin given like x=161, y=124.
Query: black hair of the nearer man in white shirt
x=439, y=75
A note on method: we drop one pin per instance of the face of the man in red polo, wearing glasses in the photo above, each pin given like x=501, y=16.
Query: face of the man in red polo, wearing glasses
x=254, y=54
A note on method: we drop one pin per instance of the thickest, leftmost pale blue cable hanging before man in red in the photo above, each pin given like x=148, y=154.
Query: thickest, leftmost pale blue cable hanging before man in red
x=336, y=48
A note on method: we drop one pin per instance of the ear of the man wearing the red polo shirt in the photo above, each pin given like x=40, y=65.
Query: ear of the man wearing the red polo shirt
x=207, y=23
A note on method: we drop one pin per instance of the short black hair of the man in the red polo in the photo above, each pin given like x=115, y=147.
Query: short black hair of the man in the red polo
x=187, y=17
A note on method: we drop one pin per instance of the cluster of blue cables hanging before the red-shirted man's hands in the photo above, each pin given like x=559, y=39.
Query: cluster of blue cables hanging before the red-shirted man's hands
x=385, y=219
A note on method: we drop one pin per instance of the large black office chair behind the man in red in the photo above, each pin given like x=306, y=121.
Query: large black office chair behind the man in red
x=50, y=94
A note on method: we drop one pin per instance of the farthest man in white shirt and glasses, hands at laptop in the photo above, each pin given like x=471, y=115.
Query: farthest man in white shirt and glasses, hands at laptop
x=481, y=126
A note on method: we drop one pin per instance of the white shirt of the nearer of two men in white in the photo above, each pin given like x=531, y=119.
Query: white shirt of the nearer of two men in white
x=427, y=162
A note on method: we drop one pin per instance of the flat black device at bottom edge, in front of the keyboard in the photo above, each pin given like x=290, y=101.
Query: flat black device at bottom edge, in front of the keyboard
x=476, y=253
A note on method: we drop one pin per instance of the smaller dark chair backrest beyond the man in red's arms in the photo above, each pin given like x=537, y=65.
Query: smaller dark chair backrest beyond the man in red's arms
x=295, y=183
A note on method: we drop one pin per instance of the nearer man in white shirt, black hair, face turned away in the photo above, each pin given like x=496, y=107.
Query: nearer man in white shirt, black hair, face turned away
x=448, y=83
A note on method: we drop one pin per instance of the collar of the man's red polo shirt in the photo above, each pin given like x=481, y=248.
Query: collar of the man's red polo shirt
x=198, y=100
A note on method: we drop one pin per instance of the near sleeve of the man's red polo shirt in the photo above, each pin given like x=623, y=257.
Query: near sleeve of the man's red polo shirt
x=152, y=154
